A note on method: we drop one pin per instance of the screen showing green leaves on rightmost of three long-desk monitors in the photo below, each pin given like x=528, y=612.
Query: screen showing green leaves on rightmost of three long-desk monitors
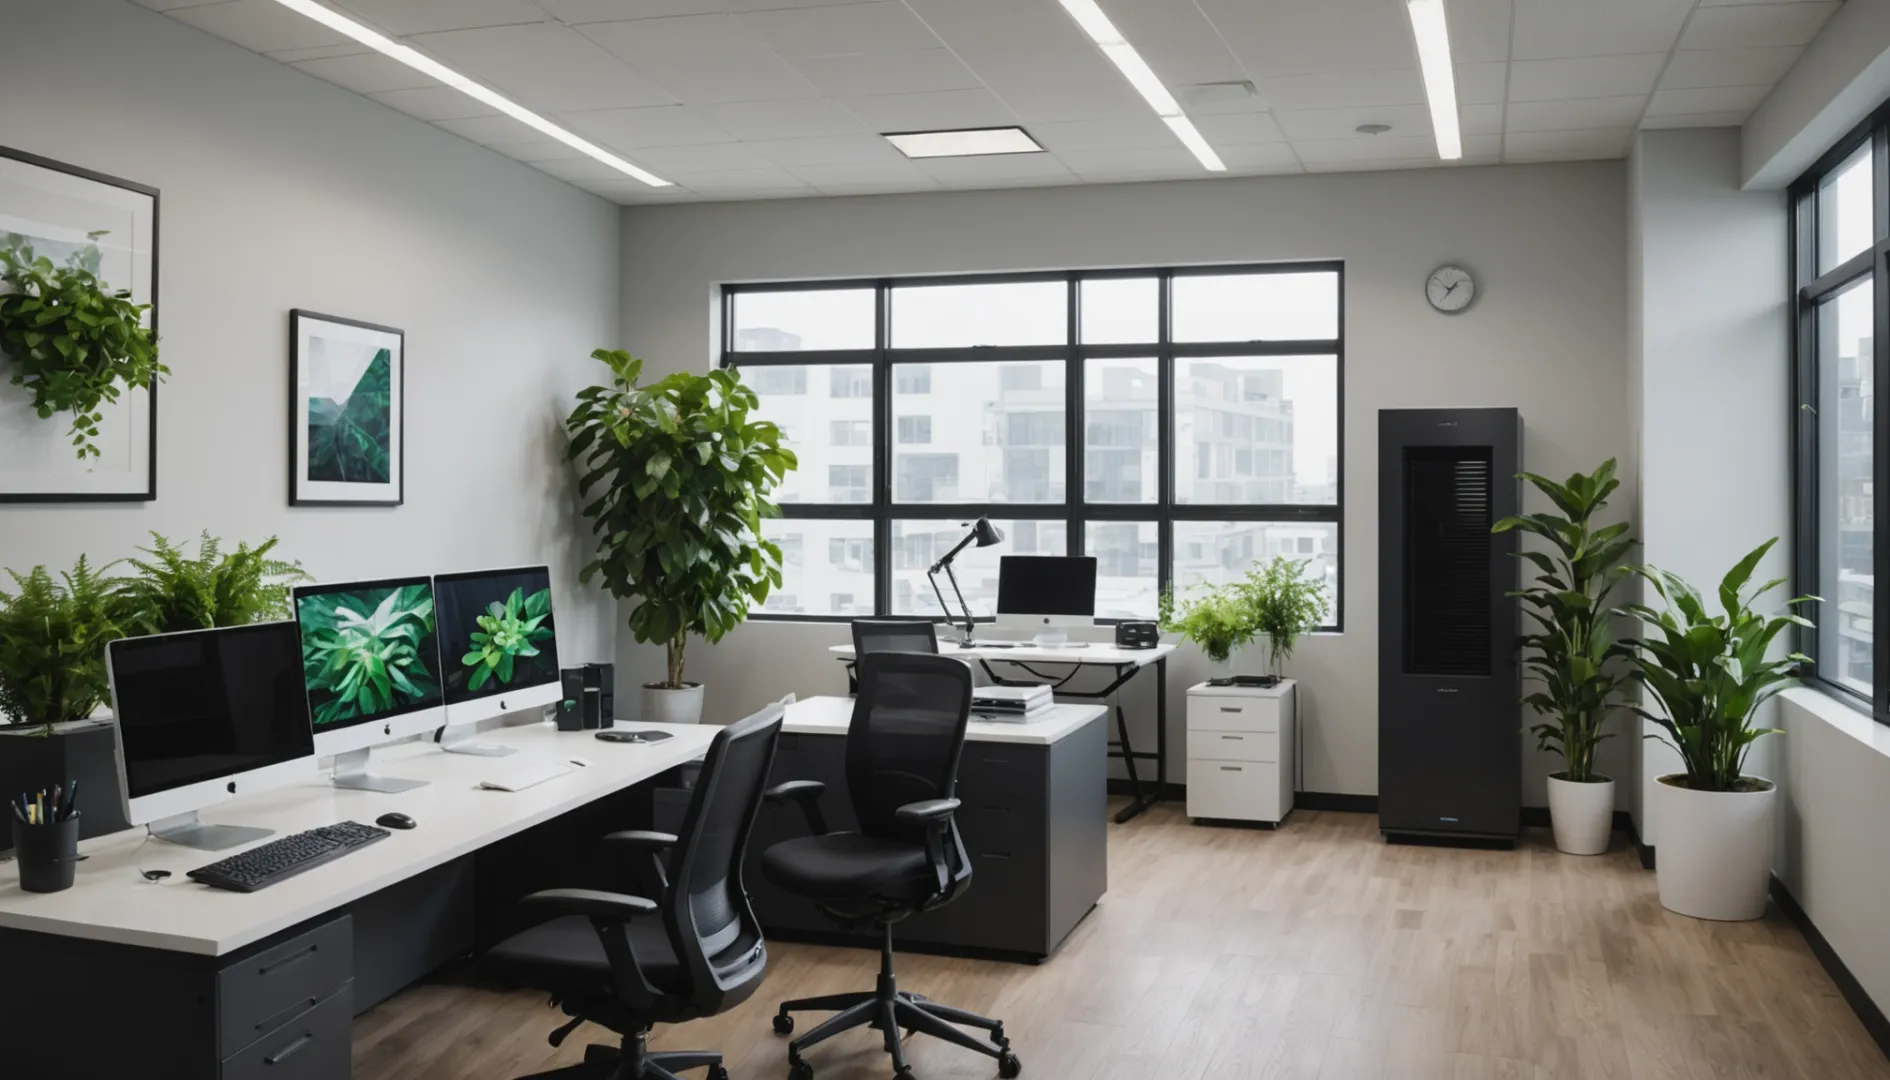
x=496, y=633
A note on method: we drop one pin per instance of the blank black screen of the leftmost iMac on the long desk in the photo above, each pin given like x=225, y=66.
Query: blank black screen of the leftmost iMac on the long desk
x=209, y=705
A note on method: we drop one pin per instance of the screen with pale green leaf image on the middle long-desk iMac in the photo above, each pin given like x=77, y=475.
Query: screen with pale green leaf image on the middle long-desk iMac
x=366, y=653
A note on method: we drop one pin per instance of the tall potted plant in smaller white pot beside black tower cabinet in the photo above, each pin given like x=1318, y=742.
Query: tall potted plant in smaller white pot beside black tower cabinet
x=1573, y=653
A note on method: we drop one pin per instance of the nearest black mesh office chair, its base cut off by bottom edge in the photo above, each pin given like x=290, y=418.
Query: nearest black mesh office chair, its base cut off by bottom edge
x=687, y=949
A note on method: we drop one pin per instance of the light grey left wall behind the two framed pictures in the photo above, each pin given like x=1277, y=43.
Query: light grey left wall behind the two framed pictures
x=281, y=192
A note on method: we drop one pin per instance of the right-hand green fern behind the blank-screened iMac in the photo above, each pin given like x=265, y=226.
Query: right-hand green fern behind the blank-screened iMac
x=175, y=591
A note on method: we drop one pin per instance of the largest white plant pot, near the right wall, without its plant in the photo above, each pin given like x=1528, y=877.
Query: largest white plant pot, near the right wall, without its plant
x=1713, y=850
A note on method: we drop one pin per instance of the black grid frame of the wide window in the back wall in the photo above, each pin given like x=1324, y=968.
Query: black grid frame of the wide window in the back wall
x=1074, y=510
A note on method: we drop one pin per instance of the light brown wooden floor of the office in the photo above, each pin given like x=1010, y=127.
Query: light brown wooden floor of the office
x=1314, y=952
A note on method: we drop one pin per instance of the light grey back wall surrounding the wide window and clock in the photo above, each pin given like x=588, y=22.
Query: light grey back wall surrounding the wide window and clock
x=1547, y=336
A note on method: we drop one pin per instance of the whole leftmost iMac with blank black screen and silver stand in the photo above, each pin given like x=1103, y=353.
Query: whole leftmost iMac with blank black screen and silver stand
x=203, y=718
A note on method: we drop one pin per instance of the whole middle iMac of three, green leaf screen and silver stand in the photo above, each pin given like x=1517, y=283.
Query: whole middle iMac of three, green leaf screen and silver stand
x=371, y=661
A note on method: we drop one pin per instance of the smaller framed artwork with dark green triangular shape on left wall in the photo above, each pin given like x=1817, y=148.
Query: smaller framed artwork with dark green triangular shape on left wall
x=347, y=413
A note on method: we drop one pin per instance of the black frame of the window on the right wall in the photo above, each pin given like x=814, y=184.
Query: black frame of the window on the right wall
x=1810, y=288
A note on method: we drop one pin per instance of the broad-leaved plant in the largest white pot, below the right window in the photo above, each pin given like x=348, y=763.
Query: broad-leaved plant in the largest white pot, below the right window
x=1710, y=676
